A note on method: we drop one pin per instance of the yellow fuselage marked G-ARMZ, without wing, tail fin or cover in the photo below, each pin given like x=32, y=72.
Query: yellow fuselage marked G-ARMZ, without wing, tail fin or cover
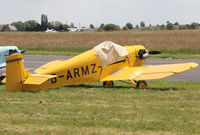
x=84, y=68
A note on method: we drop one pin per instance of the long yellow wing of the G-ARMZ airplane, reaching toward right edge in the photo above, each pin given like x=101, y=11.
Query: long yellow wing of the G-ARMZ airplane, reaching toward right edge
x=149, y=72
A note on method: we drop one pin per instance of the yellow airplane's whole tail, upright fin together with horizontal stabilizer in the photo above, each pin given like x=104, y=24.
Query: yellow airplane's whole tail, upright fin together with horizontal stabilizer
x=18, y=79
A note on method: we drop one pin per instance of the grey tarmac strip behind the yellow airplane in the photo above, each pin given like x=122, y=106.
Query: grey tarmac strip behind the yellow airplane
x=32, y=62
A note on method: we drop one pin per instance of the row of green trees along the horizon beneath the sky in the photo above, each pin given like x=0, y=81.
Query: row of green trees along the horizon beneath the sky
x=32, y=25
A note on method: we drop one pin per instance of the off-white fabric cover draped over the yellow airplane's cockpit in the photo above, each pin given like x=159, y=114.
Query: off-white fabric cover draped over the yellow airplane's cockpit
x=110, y=52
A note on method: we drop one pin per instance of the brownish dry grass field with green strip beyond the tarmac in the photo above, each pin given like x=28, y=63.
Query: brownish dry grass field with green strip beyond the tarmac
x=175, y=43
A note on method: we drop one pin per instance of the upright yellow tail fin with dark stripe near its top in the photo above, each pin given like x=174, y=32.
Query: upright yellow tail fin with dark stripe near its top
x=15, y=73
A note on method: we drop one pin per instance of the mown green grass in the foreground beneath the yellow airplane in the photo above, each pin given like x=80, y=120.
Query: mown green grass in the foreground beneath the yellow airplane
x=165, y=107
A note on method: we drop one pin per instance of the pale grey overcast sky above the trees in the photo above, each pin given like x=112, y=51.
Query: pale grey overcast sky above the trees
x=86, y=12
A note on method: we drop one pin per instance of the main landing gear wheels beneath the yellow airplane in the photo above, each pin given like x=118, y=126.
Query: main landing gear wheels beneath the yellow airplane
x=139, y=84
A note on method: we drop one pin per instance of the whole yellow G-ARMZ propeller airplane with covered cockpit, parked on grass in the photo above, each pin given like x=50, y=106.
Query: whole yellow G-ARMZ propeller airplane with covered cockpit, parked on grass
x=106, y=62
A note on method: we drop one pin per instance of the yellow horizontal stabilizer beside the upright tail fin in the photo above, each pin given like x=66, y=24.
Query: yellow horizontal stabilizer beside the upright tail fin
x=36, y=79
